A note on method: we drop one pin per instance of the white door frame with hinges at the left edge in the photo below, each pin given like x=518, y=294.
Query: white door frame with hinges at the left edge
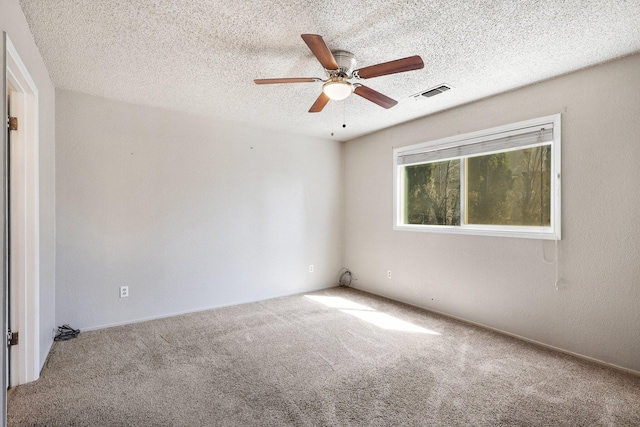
x=25, y=252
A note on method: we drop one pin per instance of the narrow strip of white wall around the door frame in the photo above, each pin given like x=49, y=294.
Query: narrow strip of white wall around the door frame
x=14, y=23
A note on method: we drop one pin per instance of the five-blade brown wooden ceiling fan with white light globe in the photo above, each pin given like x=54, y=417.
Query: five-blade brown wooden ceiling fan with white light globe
x=339, y=66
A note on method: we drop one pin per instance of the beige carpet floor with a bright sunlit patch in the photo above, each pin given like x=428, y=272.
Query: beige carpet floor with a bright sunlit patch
x=343, y=358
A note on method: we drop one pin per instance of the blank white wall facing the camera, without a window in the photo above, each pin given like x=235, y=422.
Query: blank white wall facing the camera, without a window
x=188, y=212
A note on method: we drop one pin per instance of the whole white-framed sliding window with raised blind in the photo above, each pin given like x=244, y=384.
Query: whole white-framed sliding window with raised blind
x=501, y=182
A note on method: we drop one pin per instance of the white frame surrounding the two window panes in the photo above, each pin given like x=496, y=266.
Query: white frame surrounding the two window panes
x=553, y=232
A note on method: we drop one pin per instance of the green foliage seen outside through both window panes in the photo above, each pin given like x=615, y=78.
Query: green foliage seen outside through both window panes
x=507, y=188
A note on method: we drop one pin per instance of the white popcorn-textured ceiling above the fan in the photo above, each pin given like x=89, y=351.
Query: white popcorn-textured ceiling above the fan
x=201, y=56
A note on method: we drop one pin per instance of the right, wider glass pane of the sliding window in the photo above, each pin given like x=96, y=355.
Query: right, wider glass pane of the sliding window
x=511, y=188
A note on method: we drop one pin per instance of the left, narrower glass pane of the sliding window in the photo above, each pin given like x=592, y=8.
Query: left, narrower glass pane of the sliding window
x=432, y=193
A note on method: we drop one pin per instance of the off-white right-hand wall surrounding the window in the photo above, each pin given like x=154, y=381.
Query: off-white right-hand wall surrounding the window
x=505, y=283
